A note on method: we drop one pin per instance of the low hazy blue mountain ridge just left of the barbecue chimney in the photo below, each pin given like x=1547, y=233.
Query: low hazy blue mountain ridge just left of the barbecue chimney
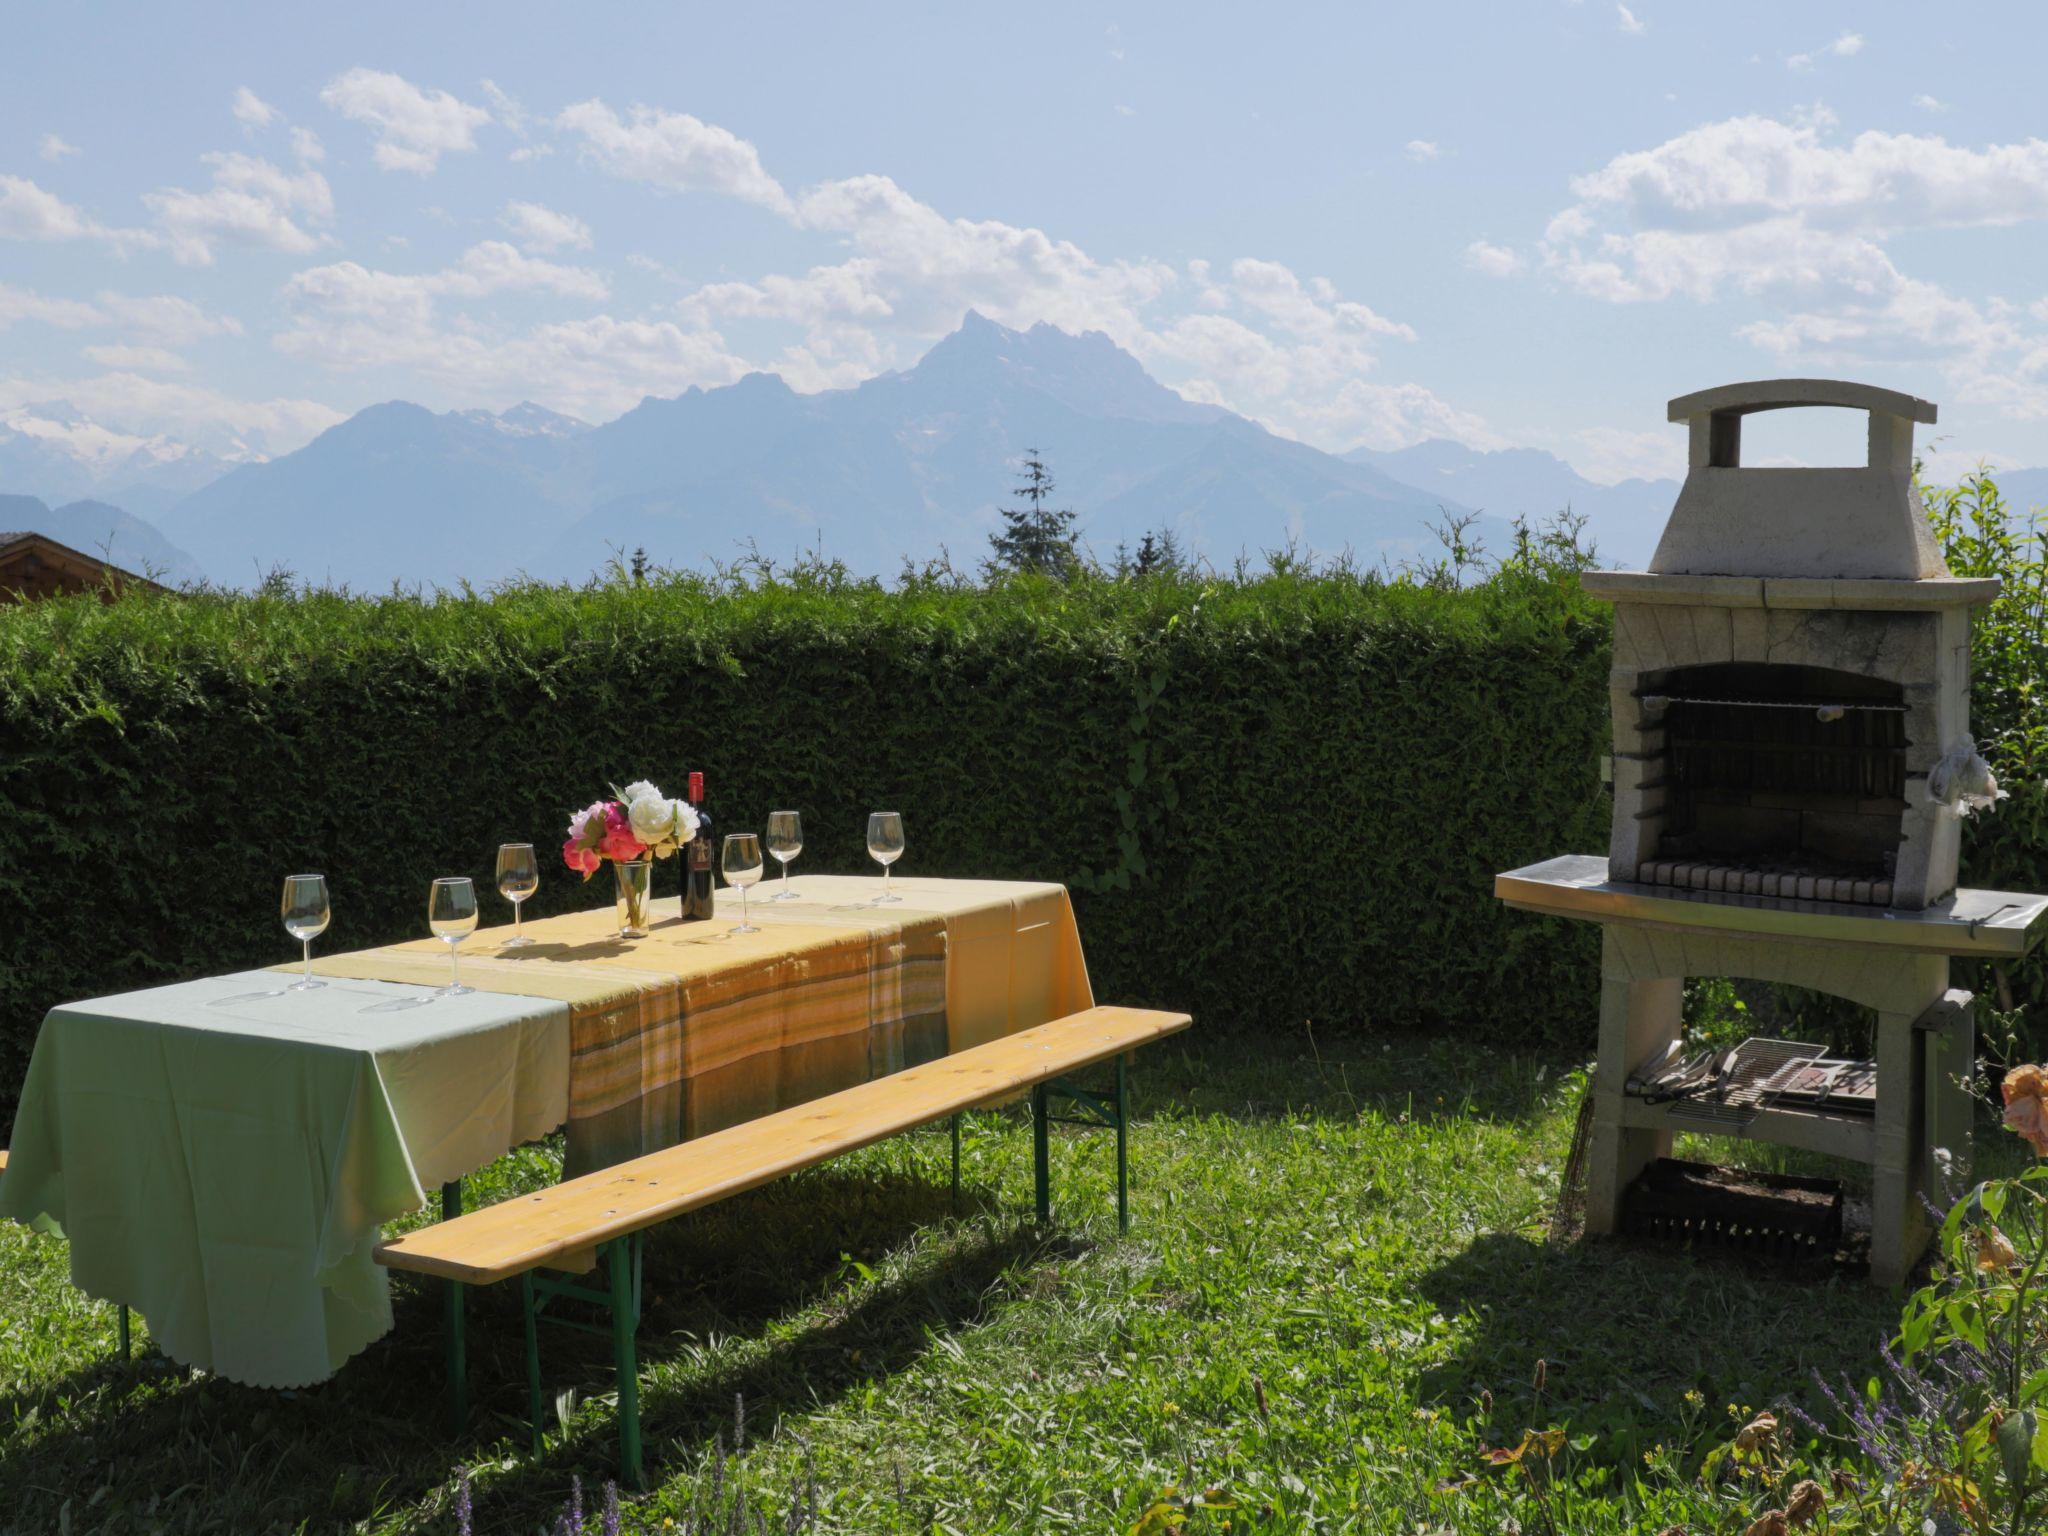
x=1625, y=521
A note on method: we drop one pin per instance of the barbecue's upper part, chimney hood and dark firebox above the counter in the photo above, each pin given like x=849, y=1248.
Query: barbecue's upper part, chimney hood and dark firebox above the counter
x=1791, y=671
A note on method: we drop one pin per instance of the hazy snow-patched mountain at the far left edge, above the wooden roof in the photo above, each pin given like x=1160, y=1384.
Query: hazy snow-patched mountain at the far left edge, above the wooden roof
x=56, y=454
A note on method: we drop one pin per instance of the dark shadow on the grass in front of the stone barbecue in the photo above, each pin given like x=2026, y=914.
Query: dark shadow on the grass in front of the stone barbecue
x=1629, y=1328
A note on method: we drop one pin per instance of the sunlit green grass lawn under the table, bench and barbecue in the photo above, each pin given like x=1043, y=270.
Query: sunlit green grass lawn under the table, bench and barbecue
x=1334, y=1254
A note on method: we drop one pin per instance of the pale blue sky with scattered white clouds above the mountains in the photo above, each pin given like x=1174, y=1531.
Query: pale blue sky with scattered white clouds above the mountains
x=1514, y=224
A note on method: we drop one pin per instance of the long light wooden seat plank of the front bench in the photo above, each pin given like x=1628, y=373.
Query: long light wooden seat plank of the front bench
x=579, y=1215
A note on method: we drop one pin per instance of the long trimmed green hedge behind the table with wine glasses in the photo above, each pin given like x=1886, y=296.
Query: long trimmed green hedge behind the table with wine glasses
x=1277, y=800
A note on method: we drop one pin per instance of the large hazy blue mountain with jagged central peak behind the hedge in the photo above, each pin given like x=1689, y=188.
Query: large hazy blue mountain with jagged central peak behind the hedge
x=896, y=468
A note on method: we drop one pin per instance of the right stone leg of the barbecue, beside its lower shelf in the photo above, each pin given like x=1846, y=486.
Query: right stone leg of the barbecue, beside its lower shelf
x=1900, y=1138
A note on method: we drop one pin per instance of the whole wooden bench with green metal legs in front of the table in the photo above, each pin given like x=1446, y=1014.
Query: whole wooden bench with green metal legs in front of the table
x=601, y=1215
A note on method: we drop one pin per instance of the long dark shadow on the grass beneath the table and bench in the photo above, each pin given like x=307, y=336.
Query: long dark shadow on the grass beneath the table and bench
x=167, y=1451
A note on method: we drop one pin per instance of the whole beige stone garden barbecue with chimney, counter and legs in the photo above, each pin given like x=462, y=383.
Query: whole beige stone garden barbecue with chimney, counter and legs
x=1791, y=703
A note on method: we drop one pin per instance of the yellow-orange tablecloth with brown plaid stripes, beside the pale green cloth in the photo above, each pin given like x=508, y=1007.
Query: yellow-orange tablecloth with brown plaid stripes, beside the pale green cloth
x=695, y=1027
